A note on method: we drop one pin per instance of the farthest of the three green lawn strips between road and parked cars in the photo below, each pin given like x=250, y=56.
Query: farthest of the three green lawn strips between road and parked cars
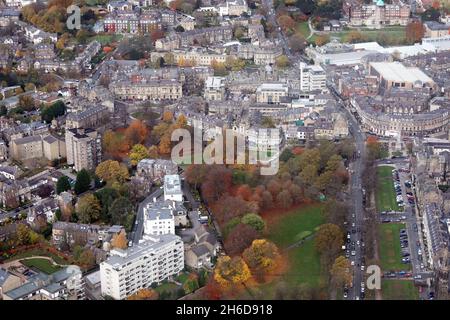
x=386, y=196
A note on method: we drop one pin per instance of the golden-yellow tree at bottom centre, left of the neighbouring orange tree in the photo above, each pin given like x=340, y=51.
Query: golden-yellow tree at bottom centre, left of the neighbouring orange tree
x=231, y=271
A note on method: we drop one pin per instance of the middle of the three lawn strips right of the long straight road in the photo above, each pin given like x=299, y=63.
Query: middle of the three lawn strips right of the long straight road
x=390, y=250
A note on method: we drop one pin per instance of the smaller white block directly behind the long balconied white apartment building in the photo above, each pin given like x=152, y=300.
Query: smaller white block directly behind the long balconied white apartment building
x=158, y=219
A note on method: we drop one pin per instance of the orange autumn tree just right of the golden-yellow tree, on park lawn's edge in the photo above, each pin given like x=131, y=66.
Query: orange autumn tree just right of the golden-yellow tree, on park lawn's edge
x=261, y=256
